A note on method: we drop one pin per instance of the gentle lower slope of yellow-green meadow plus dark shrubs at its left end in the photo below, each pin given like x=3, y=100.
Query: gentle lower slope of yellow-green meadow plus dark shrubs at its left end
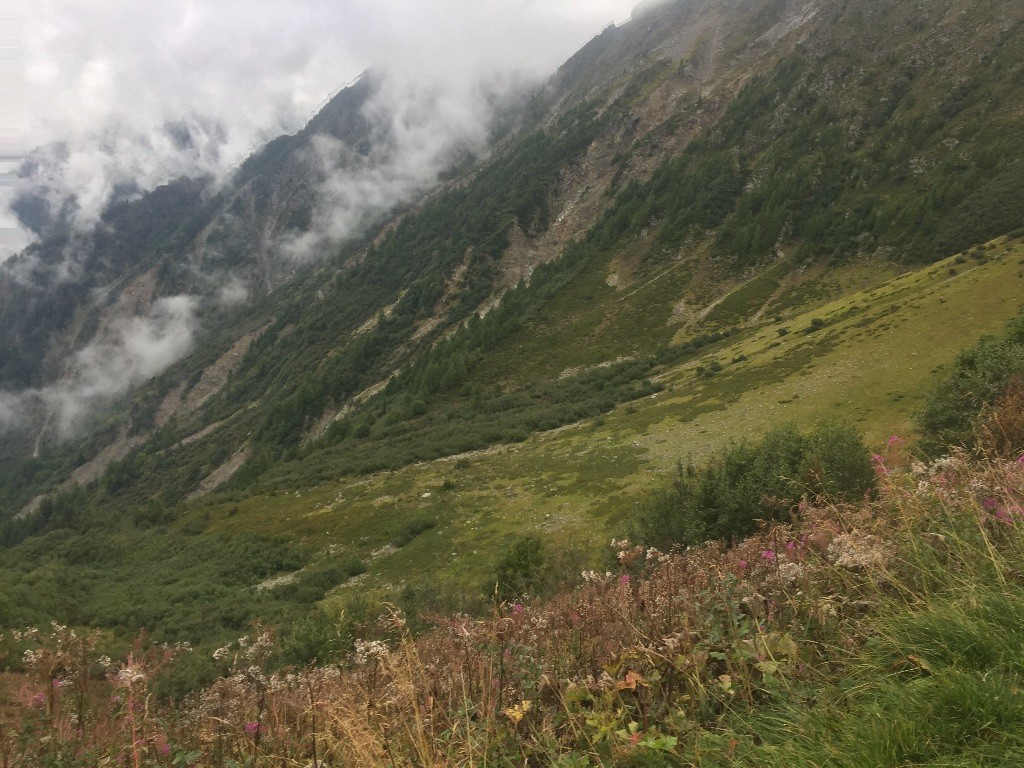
x=432, y=534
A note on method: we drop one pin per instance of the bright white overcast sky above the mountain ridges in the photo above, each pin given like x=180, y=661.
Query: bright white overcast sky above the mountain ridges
x=106, y=76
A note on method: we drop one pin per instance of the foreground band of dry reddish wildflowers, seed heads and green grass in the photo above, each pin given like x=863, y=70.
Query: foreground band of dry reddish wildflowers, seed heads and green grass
x=885, y=633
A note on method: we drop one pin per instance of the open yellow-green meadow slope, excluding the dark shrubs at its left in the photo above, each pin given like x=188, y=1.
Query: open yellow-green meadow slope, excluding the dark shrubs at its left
x=871, y=365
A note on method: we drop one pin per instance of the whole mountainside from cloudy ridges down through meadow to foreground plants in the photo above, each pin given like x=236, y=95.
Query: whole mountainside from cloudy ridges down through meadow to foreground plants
x=704, y=222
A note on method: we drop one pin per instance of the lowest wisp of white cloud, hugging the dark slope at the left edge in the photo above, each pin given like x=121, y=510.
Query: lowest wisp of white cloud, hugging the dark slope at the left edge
x=135, y=351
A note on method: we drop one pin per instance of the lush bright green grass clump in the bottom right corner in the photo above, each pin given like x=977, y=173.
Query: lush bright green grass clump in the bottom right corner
x=941, y=681
